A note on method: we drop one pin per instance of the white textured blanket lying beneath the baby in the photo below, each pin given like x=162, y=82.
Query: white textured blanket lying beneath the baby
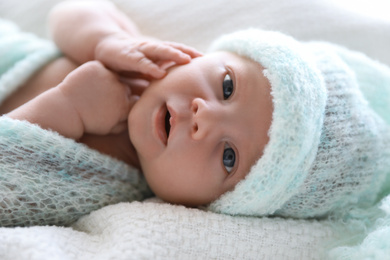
x=153, y=230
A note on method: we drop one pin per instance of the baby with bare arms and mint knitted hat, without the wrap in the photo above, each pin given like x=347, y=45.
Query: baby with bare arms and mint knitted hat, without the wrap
x=263, y=125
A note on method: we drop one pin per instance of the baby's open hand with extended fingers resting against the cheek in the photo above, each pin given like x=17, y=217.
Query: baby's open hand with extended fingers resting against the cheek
x=124, y=53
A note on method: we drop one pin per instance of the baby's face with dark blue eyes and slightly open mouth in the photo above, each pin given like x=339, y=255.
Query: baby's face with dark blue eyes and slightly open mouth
x=199, y=130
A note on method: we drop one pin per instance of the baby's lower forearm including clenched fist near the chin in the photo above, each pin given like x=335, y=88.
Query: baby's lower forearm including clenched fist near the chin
x=91, y=99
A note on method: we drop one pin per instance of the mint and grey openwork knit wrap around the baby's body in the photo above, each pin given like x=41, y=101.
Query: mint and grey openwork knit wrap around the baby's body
x=46, y=179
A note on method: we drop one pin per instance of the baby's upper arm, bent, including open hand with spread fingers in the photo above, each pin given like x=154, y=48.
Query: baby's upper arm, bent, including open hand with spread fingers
x=92, y=30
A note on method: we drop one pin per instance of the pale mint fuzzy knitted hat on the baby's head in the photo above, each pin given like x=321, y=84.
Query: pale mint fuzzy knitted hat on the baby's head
x=301, y=173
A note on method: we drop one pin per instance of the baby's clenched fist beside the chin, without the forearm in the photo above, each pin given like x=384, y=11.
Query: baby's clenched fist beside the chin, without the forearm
x=100, y=99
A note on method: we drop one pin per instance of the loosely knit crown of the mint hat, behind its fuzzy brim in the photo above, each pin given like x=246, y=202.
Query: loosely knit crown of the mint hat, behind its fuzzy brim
x=353, y=157
